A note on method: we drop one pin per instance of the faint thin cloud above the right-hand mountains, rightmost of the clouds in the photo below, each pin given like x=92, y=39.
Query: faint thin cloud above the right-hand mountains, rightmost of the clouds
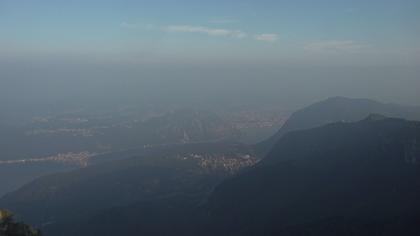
x=348, y=46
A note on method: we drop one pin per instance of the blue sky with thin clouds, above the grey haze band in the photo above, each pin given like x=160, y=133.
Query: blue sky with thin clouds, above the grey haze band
x=231, y=31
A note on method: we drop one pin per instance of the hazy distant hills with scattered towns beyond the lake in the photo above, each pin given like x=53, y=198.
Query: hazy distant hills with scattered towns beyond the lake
x=49, y=138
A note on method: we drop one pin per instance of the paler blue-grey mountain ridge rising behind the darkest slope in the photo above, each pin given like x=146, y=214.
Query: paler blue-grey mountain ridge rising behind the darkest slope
x=338, y=109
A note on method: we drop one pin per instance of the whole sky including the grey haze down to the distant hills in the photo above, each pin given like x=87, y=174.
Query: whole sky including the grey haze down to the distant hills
x=73, y=47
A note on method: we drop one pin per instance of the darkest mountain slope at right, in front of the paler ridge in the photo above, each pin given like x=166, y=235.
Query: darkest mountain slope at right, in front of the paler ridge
x=341, y=179
